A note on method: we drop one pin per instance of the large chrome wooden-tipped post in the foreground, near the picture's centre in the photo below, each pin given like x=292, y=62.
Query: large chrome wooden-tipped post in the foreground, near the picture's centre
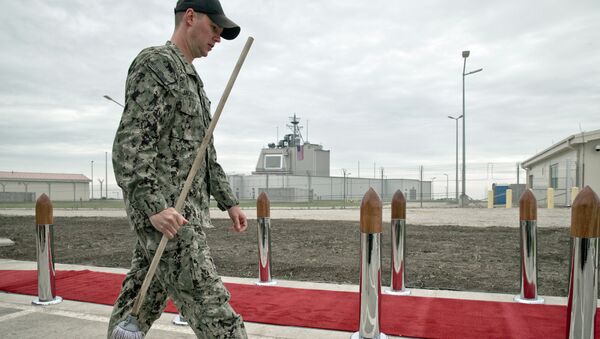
x=370, y=267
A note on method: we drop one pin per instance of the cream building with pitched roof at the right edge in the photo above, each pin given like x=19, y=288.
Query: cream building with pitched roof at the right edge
x=571, y=162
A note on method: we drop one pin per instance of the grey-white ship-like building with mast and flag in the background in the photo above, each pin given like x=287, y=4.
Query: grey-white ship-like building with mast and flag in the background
x=293, y=170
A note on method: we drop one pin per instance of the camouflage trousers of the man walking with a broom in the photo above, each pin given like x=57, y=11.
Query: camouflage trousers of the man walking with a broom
x=187, y=274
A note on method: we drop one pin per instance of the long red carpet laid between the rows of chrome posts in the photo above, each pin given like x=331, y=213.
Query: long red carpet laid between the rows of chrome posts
x=408, y=316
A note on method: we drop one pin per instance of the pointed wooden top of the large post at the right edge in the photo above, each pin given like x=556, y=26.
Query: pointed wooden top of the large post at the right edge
x=585, y=215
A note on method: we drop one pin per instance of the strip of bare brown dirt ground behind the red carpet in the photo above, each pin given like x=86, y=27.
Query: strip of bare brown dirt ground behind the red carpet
x=438, y=257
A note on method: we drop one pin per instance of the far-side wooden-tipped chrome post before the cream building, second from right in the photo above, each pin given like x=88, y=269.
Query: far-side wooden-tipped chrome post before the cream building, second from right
x=528, y=231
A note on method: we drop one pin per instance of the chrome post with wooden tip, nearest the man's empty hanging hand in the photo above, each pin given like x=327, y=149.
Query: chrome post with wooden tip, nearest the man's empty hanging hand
x=263, y=216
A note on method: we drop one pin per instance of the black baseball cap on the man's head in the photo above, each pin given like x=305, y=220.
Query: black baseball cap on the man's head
x=213, y=9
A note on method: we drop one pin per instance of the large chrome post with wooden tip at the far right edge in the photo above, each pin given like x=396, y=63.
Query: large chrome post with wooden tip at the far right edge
x=583, y=282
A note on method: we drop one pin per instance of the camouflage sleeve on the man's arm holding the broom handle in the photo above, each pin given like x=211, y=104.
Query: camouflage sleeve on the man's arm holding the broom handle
x=135, y=144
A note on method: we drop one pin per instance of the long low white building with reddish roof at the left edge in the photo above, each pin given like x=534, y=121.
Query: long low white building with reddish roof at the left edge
x=27, y=187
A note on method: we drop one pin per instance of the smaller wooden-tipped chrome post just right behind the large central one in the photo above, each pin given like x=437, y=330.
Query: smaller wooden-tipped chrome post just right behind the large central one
x=398, y=231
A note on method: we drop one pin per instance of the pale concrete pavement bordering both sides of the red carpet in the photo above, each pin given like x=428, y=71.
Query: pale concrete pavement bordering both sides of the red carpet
x=72, y=319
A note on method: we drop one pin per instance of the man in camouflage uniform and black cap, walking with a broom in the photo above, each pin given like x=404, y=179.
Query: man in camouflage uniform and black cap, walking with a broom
x=165, y=118
